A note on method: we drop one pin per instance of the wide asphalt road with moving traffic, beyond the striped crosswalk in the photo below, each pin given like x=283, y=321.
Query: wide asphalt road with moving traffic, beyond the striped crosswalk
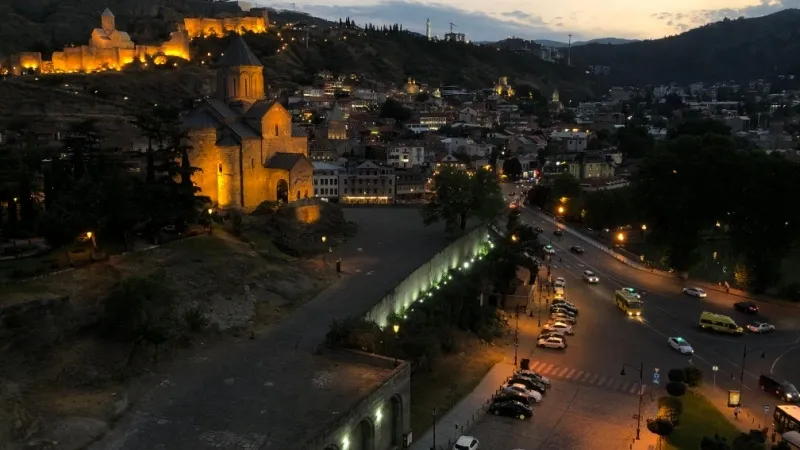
x=606, y=339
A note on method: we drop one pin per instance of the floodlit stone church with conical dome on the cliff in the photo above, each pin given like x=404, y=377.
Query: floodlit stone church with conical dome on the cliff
x=247, y=148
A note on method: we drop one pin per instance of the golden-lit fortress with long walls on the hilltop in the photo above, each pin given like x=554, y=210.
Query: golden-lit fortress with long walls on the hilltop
x=111, y=49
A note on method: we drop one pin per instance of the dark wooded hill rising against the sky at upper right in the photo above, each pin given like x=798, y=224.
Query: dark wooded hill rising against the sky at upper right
x=741, y=49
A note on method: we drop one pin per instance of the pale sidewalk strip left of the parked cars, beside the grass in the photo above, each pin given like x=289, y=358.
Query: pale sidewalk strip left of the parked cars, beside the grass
x=470, y=409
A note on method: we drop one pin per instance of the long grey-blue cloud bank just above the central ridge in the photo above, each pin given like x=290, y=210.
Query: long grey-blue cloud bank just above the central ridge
x=477, y=26
